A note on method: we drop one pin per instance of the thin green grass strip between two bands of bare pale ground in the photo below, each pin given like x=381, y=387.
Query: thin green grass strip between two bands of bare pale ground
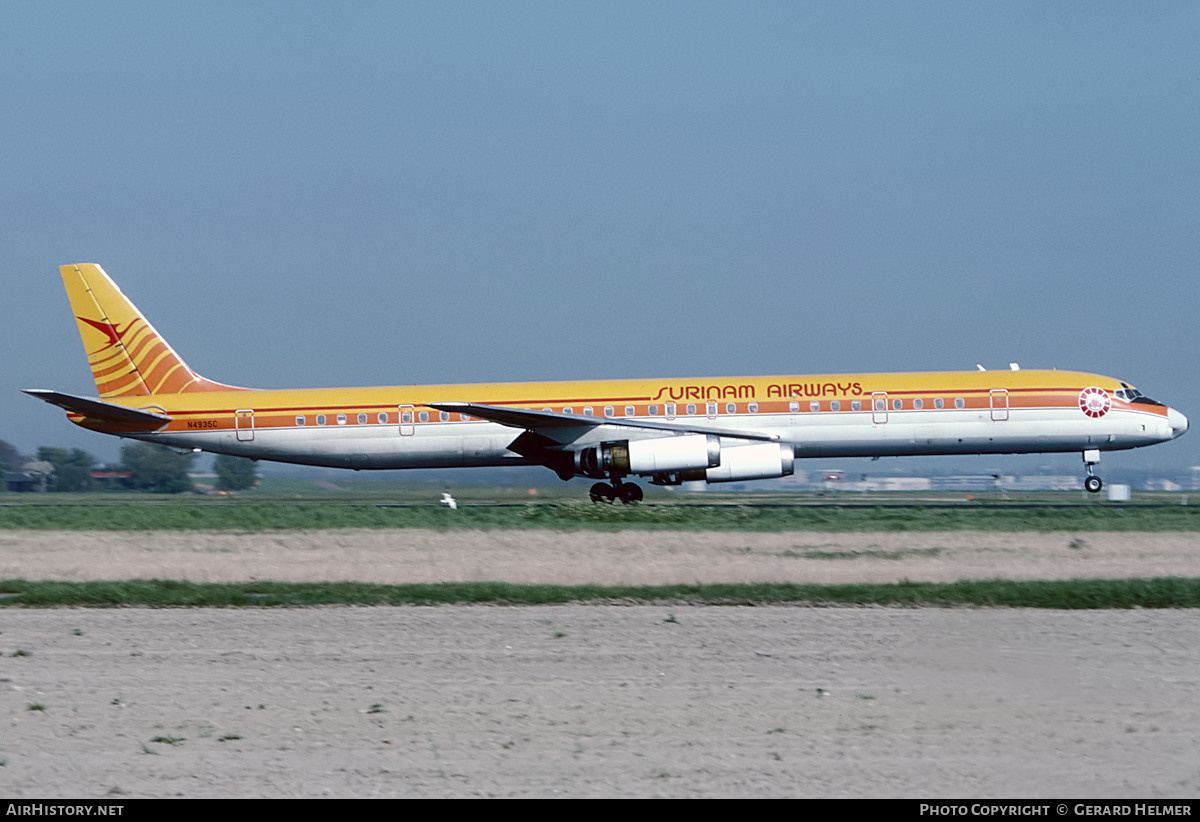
x=1069, y=595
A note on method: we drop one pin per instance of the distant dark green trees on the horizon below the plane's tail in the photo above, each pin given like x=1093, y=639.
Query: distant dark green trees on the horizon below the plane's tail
x=143, y=467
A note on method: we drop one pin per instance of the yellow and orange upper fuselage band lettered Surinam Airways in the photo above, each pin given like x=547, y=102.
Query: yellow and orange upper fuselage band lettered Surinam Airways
x=770, y=395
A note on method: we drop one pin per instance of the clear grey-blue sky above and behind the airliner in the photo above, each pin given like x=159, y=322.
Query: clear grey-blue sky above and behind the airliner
x=322, y=194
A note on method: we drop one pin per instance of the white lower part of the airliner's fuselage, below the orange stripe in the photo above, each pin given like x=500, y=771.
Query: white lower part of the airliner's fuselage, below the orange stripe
x=843, y=434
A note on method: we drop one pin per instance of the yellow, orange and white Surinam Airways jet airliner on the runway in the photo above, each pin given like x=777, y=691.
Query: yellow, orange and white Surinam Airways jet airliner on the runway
x=667, y=431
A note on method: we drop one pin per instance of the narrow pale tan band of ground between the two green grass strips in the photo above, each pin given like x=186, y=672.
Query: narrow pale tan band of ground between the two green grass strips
x=628, y=557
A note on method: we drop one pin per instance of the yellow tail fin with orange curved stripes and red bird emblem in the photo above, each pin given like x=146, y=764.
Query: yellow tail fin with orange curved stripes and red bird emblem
x=128, y=357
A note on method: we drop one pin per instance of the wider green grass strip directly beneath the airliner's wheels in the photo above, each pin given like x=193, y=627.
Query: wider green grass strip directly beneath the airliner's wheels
x=267, y=517
